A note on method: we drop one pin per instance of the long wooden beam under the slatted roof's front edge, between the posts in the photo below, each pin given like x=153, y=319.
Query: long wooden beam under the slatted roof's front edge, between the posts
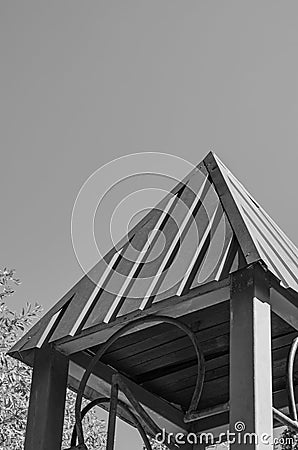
x=197, y=299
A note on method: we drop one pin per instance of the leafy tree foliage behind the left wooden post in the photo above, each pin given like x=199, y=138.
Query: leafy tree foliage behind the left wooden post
x=15, y=379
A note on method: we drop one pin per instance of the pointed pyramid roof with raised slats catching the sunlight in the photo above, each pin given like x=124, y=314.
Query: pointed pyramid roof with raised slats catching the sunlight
x=208, y=227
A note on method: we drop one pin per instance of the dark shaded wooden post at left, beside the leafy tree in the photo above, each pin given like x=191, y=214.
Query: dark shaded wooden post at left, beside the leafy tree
x=47, y=400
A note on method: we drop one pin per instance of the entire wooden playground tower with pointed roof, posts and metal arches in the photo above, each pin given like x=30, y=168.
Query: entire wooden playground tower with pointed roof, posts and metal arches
x=199, y=335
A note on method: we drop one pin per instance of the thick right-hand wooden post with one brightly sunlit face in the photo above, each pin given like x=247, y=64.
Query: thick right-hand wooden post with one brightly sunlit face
x=250, y=361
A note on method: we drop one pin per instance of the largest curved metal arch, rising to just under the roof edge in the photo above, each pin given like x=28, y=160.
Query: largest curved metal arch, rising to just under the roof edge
x=158, y=318
